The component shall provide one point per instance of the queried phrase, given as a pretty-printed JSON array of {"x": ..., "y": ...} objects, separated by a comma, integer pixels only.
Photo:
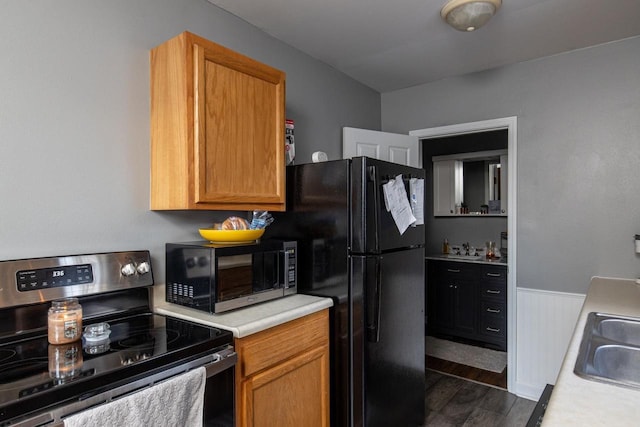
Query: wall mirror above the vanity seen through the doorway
[{"x": 470, "y": 183}]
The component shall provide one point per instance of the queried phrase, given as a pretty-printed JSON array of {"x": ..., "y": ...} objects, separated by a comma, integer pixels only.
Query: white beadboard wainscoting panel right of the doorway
[{"x": 545, "y": 324}]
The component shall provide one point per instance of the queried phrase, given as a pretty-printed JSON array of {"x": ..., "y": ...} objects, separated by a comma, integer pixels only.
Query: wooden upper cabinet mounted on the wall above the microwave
[{"x": 217, "y": 128}]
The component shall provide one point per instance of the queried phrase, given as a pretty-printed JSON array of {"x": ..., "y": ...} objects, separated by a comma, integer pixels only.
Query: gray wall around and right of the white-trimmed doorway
[{"x": 578, "y": 155}]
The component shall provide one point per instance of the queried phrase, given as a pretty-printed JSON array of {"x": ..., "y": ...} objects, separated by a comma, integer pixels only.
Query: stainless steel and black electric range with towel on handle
[{"x": 41, "y": 383}]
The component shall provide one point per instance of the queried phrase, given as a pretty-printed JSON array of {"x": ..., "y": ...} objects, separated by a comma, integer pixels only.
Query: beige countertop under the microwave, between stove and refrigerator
[{"x": 245, "y": 321}]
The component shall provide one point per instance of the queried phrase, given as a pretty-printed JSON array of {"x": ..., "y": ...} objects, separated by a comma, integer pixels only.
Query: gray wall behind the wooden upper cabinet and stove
[{"x": 74, "y": 119}]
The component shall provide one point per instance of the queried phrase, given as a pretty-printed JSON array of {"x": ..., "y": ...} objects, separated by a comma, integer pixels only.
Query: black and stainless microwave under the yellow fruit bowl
[{"x": 217, "y": 278}]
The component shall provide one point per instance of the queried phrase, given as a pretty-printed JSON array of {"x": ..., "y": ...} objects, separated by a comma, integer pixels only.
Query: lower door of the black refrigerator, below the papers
[{"x": 394, "y": 357}]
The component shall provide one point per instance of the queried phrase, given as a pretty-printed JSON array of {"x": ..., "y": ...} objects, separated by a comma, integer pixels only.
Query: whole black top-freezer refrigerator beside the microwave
[{"x": 350, "y": 249}]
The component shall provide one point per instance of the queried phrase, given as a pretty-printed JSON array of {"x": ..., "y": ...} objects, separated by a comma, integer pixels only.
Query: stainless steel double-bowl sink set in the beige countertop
[{"x": 610, "y": 350}]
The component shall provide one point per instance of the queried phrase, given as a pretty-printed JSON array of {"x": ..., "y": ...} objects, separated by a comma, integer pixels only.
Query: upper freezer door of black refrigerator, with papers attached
[{"x": 373, "y": 227}]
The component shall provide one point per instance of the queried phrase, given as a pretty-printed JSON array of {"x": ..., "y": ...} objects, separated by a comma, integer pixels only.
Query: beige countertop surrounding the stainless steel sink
[{"x": 576, "y": 401}]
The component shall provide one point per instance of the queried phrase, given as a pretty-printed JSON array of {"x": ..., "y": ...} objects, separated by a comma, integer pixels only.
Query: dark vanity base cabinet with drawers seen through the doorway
[{"x": 468, "y": 300}]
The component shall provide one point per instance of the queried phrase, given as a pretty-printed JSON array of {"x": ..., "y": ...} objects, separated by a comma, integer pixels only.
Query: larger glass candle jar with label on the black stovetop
[{"x": 65, "y": 321}]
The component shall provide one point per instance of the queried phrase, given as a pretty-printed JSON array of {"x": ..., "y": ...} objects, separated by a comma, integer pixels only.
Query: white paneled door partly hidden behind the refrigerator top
[{"x": 392, "y": 147}]
